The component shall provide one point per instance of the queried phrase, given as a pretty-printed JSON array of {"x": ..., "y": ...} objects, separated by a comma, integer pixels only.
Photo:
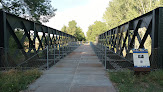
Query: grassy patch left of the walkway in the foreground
[{"x": 16, "y": 80}]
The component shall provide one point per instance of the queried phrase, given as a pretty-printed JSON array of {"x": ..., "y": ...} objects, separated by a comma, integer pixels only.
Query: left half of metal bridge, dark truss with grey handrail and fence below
[{"x": 27, "y": 44}]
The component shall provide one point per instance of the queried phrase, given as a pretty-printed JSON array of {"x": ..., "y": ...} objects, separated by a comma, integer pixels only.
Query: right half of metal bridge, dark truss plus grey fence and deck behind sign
[{"x": 114, "y": 47}]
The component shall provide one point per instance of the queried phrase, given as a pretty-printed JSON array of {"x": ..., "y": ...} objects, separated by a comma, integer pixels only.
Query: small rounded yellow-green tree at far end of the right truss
[{"x": 94, "y": 30}]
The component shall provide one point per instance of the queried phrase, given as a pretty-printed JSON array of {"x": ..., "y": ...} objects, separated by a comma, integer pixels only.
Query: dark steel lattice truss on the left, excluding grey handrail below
[{"x": 21, "y": 38}]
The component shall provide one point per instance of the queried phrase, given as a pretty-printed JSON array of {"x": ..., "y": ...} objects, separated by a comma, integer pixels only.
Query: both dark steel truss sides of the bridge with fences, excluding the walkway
[{"x": 24, "y": 43}]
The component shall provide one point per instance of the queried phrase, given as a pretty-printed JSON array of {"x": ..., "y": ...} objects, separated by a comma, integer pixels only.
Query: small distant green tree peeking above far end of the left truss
[{"x": 72, "y": 29}]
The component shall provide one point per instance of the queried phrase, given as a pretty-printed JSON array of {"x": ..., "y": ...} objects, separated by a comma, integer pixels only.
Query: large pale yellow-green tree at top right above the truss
[{"x": 121, "y": 11}]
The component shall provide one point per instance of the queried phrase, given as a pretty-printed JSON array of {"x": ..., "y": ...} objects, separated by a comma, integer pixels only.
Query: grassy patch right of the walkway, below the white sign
[{"x": 128, "y": 82}]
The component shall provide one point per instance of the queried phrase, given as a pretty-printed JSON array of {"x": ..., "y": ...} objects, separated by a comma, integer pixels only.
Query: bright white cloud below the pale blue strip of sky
[{"x": 83, "y": 15}]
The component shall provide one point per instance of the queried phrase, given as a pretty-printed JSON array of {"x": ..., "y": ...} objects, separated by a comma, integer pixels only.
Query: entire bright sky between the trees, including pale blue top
[{"x": 84, "y": 12}]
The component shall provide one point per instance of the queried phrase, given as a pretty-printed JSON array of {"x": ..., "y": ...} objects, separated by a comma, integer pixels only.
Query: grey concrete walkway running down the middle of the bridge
[{"x": 80, "y": 71}]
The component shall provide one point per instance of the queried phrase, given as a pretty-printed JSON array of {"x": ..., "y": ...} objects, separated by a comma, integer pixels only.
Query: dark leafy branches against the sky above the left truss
[{"x": 35, "y": 10}]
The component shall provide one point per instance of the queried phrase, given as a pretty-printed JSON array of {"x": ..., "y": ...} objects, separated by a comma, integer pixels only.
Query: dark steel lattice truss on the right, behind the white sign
[{"x": 145, "y": 31}]
